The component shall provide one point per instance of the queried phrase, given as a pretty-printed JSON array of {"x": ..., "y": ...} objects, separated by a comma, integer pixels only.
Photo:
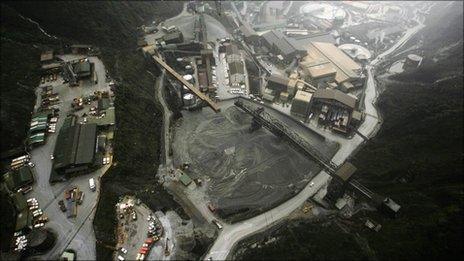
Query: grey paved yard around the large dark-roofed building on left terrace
[{"x": 76, "y": 233}]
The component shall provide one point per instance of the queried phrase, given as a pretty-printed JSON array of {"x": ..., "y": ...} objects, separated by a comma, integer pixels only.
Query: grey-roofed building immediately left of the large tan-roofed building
[{"x": 279, "y": 44}]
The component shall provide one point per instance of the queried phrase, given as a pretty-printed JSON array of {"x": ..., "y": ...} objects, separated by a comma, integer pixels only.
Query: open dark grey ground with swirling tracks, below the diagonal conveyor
[{"x": 247, "y": 171}]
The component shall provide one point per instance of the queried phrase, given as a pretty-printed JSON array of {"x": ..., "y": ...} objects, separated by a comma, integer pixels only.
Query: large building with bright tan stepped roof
[{"x": 326, "y": 63}]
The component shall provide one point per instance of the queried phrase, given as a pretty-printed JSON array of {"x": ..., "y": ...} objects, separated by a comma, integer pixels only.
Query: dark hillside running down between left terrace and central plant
[{"x": 111, "y": 26}]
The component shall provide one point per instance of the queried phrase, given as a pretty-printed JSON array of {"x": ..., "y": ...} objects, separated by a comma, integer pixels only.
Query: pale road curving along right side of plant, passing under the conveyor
[{"x": 232, "y": 234}]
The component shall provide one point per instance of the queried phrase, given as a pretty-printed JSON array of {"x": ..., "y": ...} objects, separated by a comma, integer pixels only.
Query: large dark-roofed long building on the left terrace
[{"x": 75, "y": 147}]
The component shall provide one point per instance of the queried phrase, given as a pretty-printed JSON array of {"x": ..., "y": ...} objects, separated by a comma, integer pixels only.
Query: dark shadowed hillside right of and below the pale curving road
[{"x": 416, "y": 159}]
